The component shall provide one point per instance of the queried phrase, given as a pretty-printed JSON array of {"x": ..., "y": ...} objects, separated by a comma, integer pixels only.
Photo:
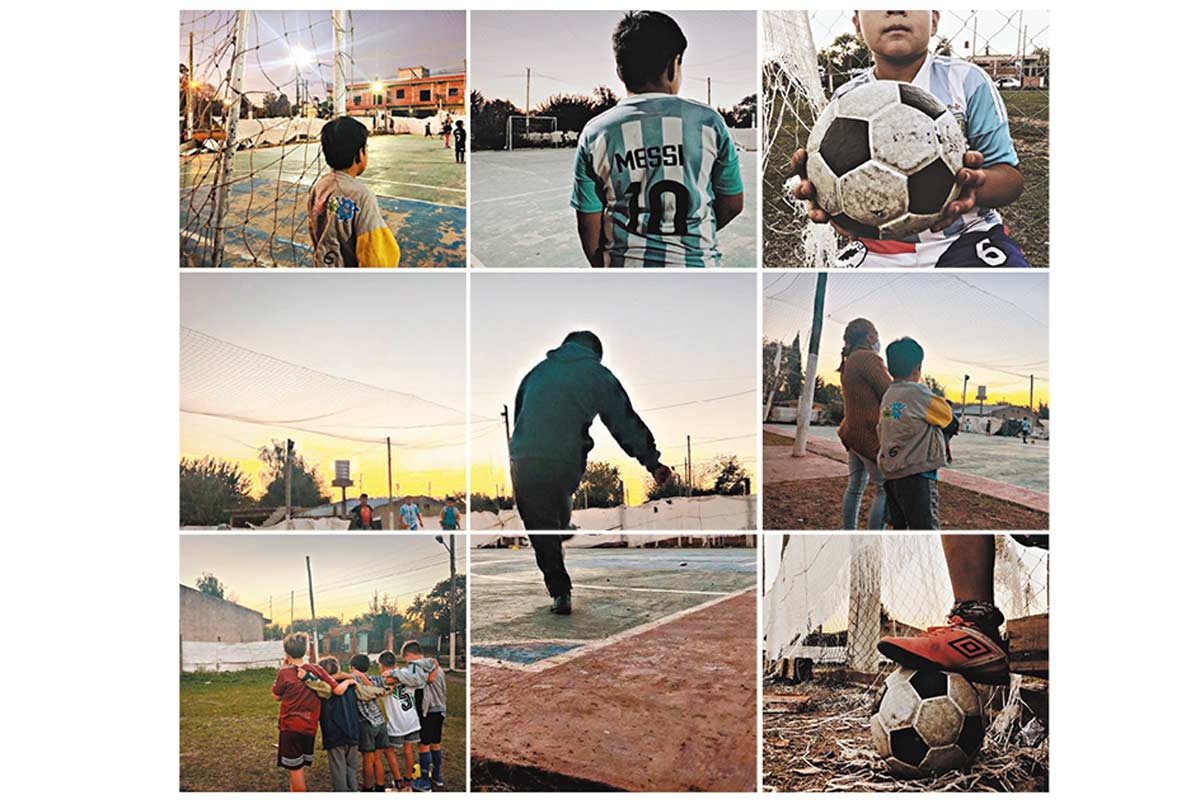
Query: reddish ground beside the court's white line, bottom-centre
[{"x": 667, "y": 711}]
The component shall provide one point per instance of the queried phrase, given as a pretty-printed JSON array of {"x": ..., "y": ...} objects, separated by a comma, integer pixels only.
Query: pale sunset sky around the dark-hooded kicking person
[{"x": 673, "y": 340}]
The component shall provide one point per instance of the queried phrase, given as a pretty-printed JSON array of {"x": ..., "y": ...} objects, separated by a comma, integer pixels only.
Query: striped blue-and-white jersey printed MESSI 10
[{"x": 655, "y": 165}]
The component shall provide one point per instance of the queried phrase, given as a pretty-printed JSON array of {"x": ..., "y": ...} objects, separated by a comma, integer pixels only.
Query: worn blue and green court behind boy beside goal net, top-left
[{"x": 421, "y": 189}]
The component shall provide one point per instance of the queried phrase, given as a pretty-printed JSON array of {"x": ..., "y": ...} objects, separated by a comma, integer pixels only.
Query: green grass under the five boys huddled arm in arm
[{"x": 229, "y": 729}]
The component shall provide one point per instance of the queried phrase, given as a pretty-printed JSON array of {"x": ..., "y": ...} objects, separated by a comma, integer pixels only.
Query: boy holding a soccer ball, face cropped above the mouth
[{"x": 971, "y": 233}]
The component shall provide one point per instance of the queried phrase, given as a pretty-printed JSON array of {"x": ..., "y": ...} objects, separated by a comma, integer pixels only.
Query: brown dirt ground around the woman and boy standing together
[{"x": 817, "y": 506}]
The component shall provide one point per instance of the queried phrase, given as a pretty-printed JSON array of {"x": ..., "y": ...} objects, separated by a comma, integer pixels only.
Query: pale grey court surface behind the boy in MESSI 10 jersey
[{"x": 521, "y": 216}]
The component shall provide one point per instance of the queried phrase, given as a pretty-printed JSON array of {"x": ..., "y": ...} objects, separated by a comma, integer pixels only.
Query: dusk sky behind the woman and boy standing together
[{"x": 991, "y": 327}]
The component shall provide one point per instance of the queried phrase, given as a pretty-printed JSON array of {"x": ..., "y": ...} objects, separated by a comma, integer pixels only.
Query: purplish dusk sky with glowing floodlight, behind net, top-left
[{"x": 380, "y": 43}]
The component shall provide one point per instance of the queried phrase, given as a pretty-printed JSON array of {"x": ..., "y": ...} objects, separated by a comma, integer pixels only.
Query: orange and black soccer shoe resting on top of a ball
[{"x": 969, "y": 647}]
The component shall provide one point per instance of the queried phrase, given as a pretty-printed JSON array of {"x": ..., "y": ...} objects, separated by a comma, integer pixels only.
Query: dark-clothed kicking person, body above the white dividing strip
[{"x": 555, "y": 407}]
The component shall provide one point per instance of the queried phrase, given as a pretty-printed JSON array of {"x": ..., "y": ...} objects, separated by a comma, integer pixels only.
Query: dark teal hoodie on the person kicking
[{"x": 561, "y": 398}]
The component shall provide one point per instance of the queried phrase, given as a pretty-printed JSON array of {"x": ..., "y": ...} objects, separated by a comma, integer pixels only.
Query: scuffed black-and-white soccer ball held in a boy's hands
[{"x": 883, "y": 160}]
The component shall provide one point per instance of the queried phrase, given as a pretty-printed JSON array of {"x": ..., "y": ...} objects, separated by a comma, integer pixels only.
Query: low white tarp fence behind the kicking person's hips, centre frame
[{"x": 713, "y": 513}]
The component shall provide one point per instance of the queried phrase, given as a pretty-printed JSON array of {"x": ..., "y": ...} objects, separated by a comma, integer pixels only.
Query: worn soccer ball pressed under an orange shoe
[{"x": 928, "y": 723}]
